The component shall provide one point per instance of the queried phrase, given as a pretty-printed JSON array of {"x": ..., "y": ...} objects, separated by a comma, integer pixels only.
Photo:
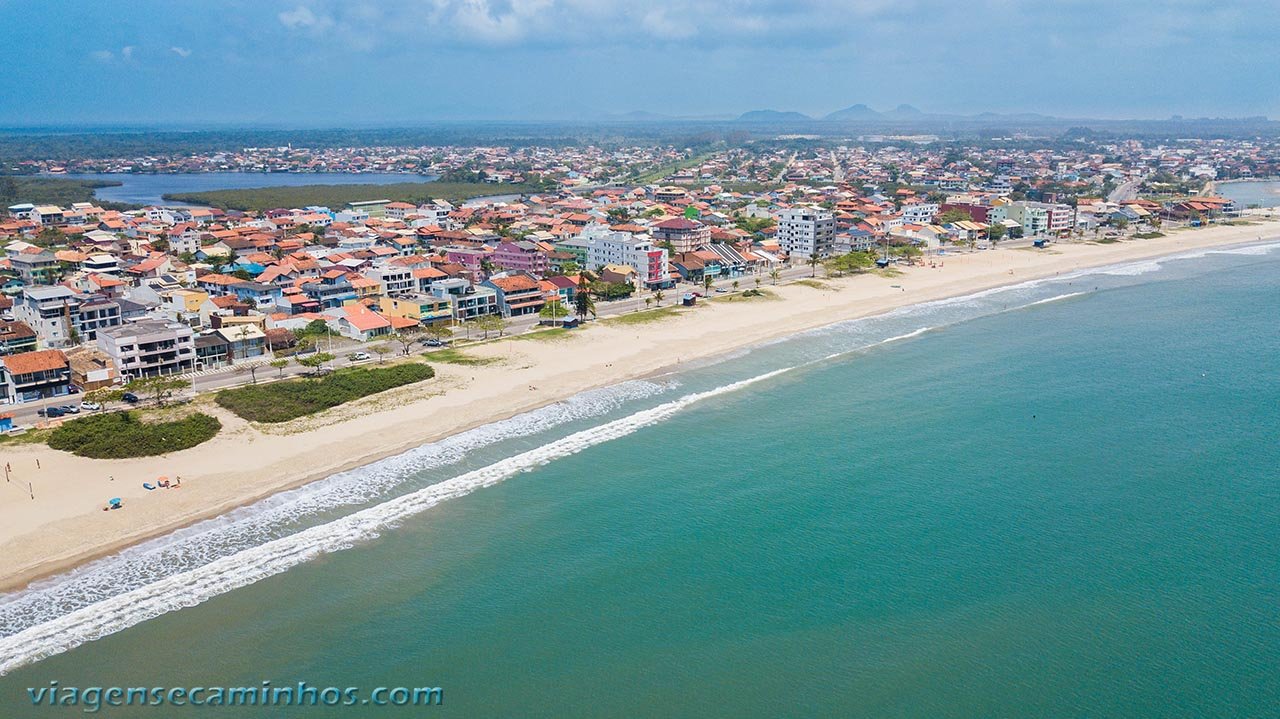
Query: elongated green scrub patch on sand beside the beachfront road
[{"x": 290, "y": 400}]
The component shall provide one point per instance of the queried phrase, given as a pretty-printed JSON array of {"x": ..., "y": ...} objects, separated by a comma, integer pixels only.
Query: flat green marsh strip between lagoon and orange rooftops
[{"x": 337, "y": 196}]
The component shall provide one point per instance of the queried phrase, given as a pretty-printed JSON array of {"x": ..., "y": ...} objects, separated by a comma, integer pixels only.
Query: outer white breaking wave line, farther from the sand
[{"x": 194, "y": 587}]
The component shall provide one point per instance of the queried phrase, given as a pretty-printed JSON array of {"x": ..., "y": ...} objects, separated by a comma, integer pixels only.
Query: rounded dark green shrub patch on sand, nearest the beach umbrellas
[{"x": 117, "y": 436}]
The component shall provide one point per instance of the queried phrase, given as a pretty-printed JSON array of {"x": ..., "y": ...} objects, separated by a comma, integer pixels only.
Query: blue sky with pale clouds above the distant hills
[{"x": 330, "y": 62}]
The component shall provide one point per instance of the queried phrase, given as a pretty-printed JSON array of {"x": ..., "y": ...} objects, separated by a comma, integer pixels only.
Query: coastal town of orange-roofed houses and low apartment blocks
[{"x": 104, "y": 299}]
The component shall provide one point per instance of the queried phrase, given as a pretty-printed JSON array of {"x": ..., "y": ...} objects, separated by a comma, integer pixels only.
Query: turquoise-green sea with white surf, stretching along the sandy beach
[{"x": 1060, "y": 500}]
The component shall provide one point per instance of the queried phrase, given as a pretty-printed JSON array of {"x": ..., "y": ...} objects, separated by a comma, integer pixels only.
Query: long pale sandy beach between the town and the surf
[{"x": 65, "y": 525}]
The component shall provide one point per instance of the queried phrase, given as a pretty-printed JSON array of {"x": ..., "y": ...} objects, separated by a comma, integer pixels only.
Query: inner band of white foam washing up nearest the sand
[{"x": 284, "y": 514}]
